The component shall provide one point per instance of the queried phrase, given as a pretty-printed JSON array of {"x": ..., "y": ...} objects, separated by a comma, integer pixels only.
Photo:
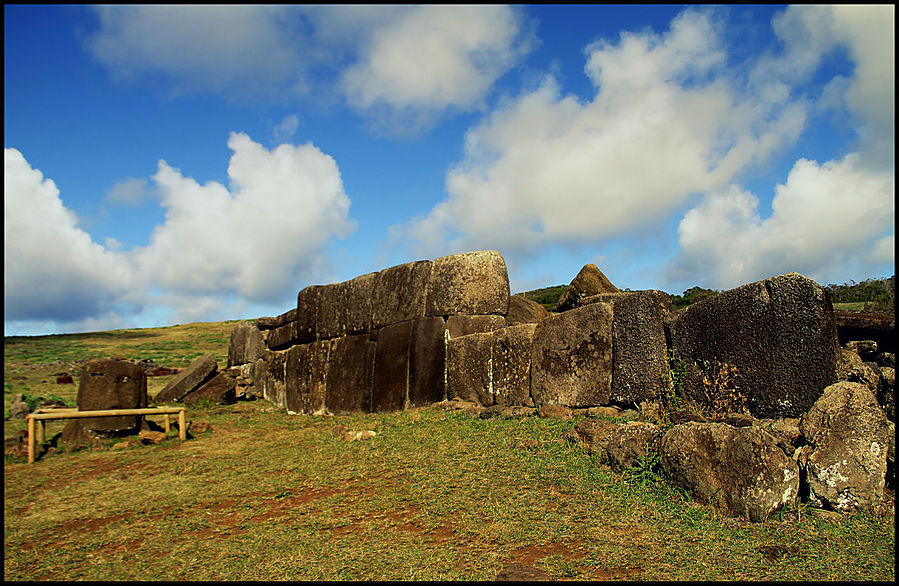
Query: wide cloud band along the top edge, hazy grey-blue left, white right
[{"x": 404, "y": 66}]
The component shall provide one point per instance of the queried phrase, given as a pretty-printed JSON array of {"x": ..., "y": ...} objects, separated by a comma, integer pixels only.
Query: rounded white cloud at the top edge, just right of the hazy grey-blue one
[{"x": 435, "y": 58}]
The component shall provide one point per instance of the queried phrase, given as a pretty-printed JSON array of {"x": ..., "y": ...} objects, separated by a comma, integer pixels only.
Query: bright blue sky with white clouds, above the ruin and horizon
[{"x": 173, "y": 164}]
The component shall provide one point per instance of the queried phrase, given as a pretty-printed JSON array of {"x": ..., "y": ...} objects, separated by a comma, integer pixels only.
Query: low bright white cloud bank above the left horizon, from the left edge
[{"x": 250, "y": 241}]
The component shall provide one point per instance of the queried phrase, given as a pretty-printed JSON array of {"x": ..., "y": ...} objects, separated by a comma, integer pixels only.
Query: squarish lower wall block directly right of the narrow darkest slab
[{"x": 469, "y": 367}]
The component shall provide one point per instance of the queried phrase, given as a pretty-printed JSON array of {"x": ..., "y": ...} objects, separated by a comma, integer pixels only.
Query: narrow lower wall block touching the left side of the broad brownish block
[{"x": 511, "y": 356}]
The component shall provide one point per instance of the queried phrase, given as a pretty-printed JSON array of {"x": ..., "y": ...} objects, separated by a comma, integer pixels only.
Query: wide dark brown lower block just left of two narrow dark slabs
[{"x": 348, "y": 387}]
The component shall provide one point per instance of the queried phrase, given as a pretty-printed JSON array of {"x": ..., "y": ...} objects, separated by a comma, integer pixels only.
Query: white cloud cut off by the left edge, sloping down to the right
[{"x": 52, "y": 268}]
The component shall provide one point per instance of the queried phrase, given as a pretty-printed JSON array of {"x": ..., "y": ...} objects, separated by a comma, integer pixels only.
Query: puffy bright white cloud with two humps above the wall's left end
[{"x": 256, "y": 238}]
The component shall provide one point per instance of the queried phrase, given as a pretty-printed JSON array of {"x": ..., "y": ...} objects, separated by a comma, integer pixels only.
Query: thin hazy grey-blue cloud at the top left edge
[{"x": 237, "y": 50}]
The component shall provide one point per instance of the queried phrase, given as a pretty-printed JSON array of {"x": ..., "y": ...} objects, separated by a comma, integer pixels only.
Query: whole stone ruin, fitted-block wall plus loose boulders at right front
[{"x": 447, "y": 331}]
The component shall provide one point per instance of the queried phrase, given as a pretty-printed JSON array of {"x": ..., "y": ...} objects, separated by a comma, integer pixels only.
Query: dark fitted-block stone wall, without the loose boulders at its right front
[{"x": 422, "y": 332}]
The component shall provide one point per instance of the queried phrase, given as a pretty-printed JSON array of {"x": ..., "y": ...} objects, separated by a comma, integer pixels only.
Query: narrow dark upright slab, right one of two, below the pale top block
[{"x": 427, "y": 362}]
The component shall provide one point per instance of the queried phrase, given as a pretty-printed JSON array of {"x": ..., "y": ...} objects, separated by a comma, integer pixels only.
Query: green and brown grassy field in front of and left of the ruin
[{"x": 263, "y": 495}]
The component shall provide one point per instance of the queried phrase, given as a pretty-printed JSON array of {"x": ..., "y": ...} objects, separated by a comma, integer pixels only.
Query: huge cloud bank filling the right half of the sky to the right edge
[{"x": 670, "y": 121}]
